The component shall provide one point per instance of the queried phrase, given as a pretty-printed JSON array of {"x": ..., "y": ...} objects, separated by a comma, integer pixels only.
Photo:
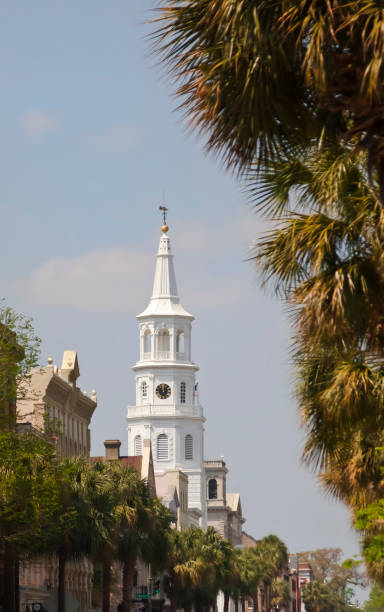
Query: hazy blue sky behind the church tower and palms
[{"x": 91, "y": 143}]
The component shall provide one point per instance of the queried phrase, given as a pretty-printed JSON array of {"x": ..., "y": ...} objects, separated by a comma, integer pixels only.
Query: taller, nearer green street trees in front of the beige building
[{"x": 71, "y": 509}]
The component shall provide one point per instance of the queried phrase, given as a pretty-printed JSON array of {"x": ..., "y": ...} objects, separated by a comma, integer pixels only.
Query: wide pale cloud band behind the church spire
[{"x": 209, "y": 271}]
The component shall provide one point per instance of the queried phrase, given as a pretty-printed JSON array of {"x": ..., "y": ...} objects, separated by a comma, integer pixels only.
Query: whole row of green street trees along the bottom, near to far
[{"x": 105, "y": 511}]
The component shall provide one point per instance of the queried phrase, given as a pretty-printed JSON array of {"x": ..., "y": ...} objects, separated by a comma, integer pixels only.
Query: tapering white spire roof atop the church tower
[{"x": 164, "y": 300}]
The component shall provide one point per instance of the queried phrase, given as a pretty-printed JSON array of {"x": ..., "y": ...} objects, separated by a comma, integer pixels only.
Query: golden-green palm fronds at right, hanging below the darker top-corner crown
[{"x": 325, "y": 258}]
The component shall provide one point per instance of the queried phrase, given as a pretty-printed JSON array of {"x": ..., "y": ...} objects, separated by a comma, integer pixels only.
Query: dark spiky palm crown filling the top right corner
[{"x": 265, "y": 77}]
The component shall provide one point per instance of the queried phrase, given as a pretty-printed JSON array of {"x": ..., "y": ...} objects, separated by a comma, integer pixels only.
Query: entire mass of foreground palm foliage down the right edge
[{"x": 291, "y": 94}]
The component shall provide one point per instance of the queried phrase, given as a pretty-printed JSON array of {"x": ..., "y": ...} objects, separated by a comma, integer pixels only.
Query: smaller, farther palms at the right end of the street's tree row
[{"x": 201, "y": 564}]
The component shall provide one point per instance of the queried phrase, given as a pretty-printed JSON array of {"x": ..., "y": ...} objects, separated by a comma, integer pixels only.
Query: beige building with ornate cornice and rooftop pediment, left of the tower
[{"x": 53, "y": 404}]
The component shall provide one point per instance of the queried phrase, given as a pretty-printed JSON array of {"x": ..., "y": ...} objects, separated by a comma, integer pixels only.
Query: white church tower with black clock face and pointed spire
[{"x": 167, "y": 409}]
